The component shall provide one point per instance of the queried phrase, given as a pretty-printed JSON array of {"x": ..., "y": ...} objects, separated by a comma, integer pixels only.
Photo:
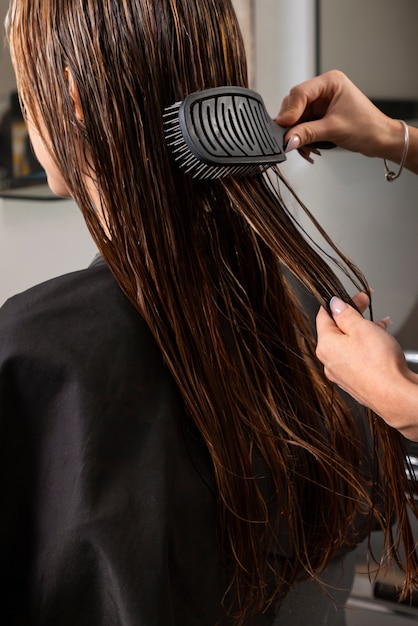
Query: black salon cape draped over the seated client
[{"x": 108, "y": 517}]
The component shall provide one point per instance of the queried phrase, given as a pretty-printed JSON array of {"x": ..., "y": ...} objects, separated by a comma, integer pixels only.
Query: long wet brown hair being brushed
[{"x": 207, "y": 264}]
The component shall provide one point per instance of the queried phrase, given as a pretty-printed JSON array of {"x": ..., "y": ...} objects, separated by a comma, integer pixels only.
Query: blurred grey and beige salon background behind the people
[{"x": 376, "y": 223}]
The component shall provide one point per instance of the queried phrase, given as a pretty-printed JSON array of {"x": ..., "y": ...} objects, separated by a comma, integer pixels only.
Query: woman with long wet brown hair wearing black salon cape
[{"x": 176, "y": 456}]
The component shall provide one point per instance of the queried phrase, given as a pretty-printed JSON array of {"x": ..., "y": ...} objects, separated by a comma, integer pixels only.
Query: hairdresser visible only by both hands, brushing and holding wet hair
[{"x": 357, "y": 354}]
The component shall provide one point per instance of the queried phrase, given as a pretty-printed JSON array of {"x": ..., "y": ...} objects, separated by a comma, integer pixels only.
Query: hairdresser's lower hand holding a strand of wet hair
[{"x": 368, "y": 363}]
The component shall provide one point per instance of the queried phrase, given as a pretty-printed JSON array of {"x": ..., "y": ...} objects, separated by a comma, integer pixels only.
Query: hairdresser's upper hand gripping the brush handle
[{"x": 331, "y": 108}]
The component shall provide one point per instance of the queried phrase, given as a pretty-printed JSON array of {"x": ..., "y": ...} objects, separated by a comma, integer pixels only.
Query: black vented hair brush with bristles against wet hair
[{"x": 222, "y": 132}]
